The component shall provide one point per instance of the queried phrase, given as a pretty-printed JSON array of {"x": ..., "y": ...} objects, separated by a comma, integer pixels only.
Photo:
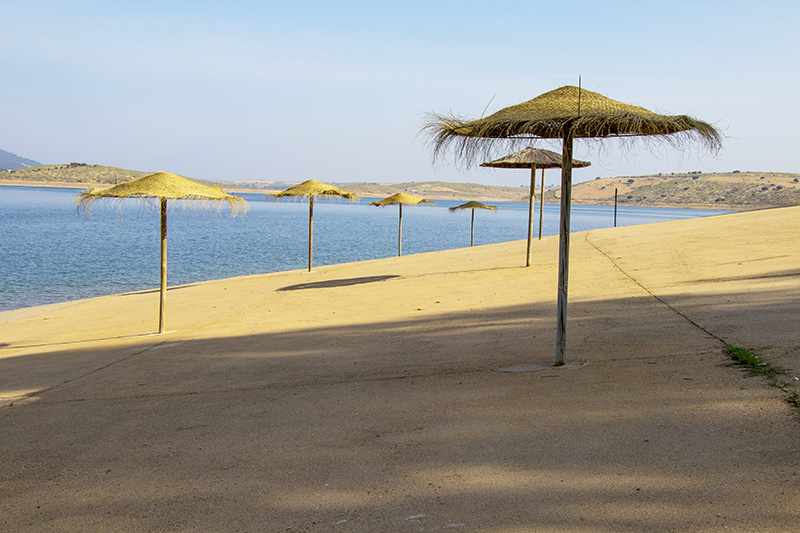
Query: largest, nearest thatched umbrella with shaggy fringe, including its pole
[{"x": 565, "y": 113}]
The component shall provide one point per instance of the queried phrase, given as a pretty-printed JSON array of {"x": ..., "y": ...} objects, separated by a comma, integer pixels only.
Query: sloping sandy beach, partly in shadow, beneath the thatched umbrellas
[{"x": 367, "y": 396}]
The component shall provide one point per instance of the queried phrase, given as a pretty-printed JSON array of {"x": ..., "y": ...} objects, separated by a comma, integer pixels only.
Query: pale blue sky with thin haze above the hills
[{"x": 338, "y": 91}]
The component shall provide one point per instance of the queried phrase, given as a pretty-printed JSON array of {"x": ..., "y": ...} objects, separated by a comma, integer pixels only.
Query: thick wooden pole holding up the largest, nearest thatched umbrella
[{"x": 563, "y": 250}]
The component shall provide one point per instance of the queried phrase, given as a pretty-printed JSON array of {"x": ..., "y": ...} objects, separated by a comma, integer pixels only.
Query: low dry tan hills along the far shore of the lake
[{"x": 728, "y": 190}]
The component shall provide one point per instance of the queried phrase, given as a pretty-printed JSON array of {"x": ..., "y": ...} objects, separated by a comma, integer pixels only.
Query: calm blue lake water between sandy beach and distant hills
[{"x": 49, "y": 253}]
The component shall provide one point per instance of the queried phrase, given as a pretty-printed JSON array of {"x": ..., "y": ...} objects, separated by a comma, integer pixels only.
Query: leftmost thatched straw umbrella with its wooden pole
[{"x": 163, "y": 186}]
